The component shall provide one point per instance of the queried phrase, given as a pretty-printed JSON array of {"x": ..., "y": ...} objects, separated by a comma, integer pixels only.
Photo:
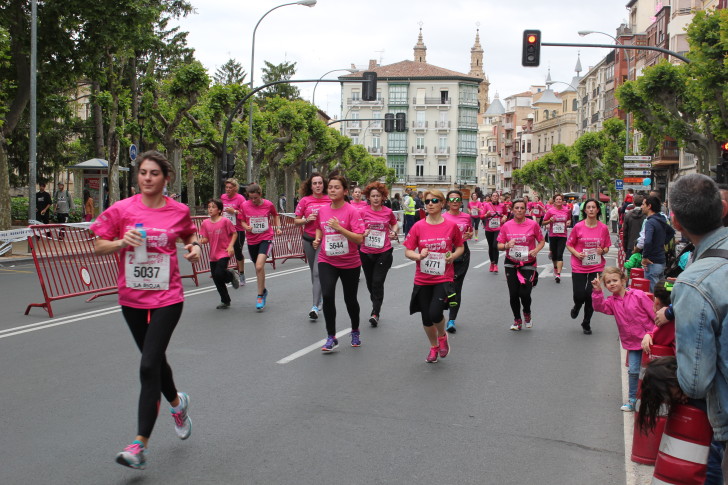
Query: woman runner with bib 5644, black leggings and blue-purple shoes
[{"x": 339, "y": 231}]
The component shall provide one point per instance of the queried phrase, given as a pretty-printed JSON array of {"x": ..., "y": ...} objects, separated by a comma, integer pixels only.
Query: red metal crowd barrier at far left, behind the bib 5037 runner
[{"x": 68, "y": 266}]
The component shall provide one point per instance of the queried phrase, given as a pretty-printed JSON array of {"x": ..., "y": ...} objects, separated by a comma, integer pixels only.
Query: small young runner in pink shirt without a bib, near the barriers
[{"x": 221, "y": 234}]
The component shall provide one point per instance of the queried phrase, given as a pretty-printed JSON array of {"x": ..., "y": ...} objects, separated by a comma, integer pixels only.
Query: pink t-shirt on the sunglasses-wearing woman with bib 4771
[{"x": 439, "y": 239}]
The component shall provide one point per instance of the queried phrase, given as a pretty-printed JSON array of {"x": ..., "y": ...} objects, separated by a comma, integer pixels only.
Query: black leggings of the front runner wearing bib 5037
[{"x": 152, "y": 330}]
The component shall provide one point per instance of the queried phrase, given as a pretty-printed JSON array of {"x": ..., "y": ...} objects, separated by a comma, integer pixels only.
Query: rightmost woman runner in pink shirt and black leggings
[{"x": 588, "y": 242}]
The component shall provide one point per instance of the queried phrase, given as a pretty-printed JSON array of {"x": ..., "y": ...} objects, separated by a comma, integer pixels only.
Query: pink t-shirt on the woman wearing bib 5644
[{"x": 336, "y": 250}]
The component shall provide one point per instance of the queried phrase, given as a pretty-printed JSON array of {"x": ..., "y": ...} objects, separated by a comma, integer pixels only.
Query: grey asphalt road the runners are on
[{"x": 540, "y": 406}]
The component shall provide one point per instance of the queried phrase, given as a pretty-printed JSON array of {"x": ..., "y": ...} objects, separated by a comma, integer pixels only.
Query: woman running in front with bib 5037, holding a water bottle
[{"x": 150, "y": 293}]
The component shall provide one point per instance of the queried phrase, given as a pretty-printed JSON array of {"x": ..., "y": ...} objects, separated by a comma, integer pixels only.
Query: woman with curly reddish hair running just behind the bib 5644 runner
[{"x": 376, "y": 251}]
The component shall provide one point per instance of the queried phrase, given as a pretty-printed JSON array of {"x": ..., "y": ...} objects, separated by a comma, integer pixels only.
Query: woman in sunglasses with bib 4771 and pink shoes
[{"x": 434, "y": 243}]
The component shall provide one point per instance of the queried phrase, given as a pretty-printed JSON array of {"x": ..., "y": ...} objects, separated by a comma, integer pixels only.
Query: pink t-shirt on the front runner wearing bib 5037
[{"x": 163, "y": 226}]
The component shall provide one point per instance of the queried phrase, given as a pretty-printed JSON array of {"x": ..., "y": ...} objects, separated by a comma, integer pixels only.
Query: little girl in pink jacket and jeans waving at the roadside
[{"x": 633, "y": 311}]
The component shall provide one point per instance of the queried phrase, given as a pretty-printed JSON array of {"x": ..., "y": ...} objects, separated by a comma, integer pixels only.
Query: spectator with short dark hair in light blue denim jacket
[{"x": 700, "y": 302}]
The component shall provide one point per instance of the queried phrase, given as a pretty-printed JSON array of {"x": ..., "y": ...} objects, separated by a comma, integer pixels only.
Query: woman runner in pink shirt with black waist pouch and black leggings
[{"x": 522, "y": 239}]
